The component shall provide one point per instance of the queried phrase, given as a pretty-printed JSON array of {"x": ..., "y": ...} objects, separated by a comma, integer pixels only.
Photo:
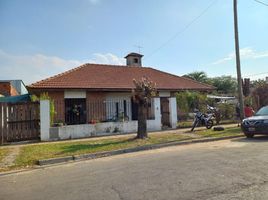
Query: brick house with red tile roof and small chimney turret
[{"x": 97, "y": 92}]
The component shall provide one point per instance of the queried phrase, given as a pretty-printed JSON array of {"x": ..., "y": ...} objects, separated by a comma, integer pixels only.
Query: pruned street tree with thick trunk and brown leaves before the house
[{"x": 142, "y": 94}]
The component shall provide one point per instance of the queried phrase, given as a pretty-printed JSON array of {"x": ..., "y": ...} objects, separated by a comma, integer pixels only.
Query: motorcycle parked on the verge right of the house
[{"x": 204, "y": 119}]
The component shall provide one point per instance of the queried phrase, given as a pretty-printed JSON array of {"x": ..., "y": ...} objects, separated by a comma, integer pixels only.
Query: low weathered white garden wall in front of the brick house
[{"x": 99, "y": 129}]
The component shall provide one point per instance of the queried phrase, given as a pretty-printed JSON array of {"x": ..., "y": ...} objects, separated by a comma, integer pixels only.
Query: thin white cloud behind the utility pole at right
[{"x": 245, "y": 53}]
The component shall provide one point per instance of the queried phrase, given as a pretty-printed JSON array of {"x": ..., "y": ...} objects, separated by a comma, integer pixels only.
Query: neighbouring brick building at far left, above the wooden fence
[{"x": 12, "y": 88}]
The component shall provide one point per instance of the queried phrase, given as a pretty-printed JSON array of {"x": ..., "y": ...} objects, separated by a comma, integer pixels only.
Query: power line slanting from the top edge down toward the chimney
[{"x": 183, "y": 30}]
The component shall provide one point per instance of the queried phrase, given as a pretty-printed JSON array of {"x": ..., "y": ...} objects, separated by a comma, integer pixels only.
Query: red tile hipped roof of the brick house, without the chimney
[{"x": 112, "y": 77}]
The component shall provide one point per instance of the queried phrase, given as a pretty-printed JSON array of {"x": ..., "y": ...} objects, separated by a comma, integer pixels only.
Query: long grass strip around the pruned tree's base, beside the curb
[{"x": 31, "y": 153}]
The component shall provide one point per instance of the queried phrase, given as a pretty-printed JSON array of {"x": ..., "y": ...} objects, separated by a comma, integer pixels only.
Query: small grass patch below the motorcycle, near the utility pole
[{"x": 232, "y": 131}]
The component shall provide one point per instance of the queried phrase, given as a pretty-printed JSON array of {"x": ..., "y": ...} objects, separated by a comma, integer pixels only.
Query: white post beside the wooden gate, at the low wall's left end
[{"x": 44, "y": 120}]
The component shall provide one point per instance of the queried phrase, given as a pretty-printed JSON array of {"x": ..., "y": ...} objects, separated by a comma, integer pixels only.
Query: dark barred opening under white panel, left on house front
[{"x": 75, "y": 111}]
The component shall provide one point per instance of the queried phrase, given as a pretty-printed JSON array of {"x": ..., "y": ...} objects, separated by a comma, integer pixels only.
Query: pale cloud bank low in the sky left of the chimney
[{"x": 32, "y": 68}]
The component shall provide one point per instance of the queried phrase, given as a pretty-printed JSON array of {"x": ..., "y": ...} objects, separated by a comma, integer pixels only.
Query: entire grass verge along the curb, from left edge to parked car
[{"x": 30, "y": 154}]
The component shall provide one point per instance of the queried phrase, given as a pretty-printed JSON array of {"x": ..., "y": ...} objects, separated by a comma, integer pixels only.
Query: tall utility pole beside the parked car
[{"x": 238, "y": 69}]
